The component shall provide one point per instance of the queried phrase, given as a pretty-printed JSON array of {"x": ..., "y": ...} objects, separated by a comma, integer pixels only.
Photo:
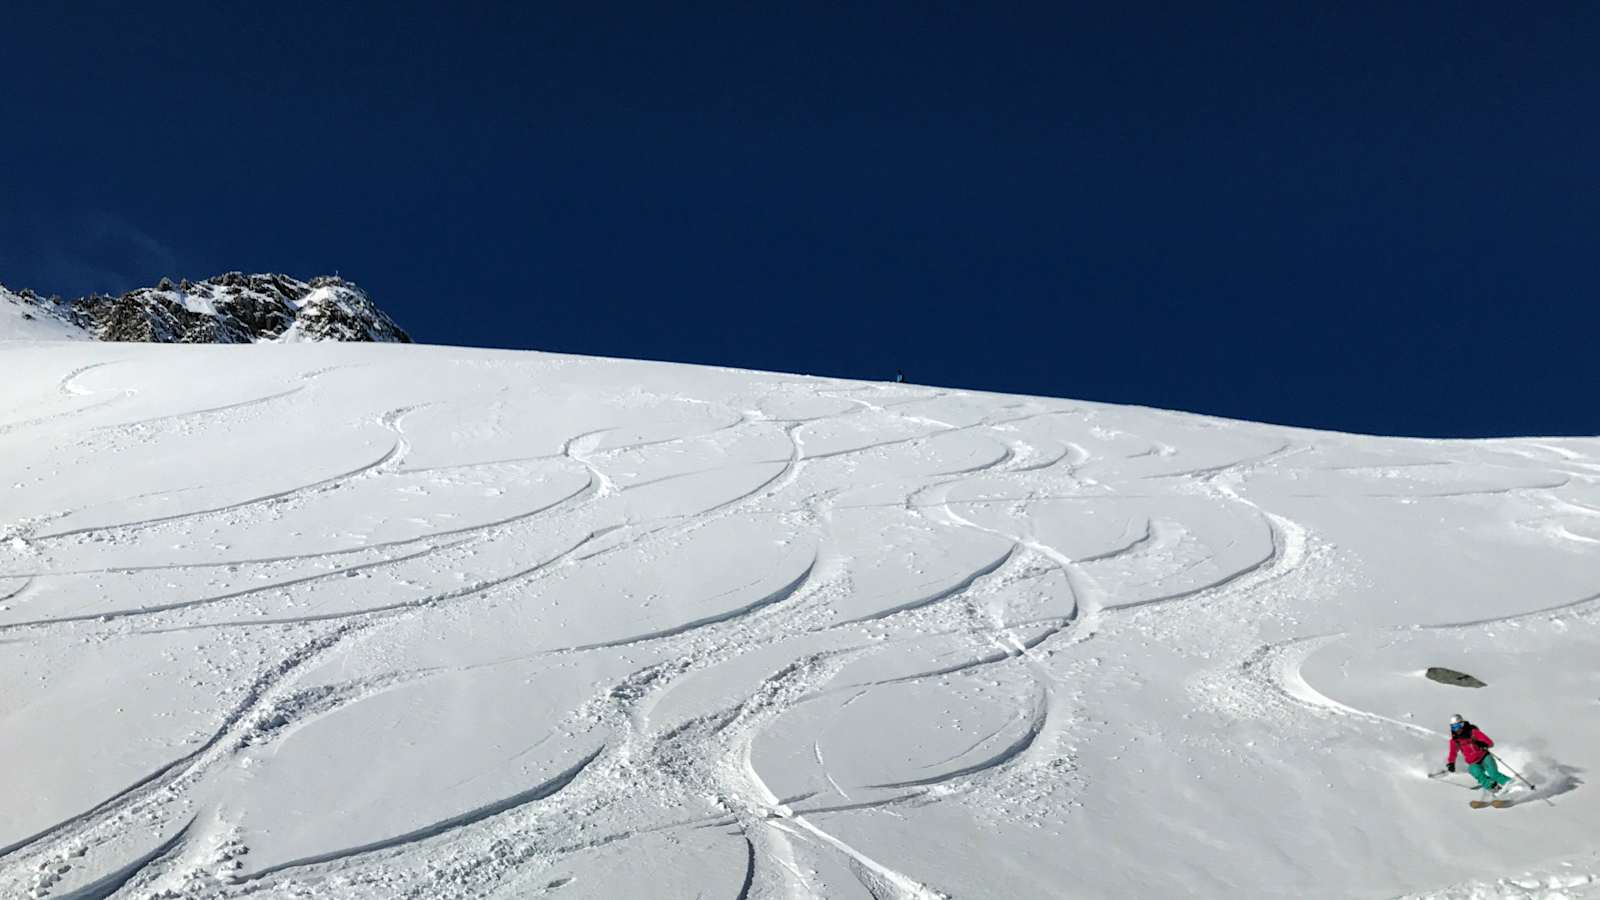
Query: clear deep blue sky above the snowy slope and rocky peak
[{"x": 1366, "y": 217}]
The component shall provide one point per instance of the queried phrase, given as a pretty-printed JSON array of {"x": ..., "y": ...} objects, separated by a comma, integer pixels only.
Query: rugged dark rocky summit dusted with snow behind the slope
[{"x": 223, "y": 310}]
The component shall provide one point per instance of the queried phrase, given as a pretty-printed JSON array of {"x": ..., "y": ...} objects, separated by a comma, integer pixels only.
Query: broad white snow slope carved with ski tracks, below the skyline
[{"x": 353, "y": 621}]
